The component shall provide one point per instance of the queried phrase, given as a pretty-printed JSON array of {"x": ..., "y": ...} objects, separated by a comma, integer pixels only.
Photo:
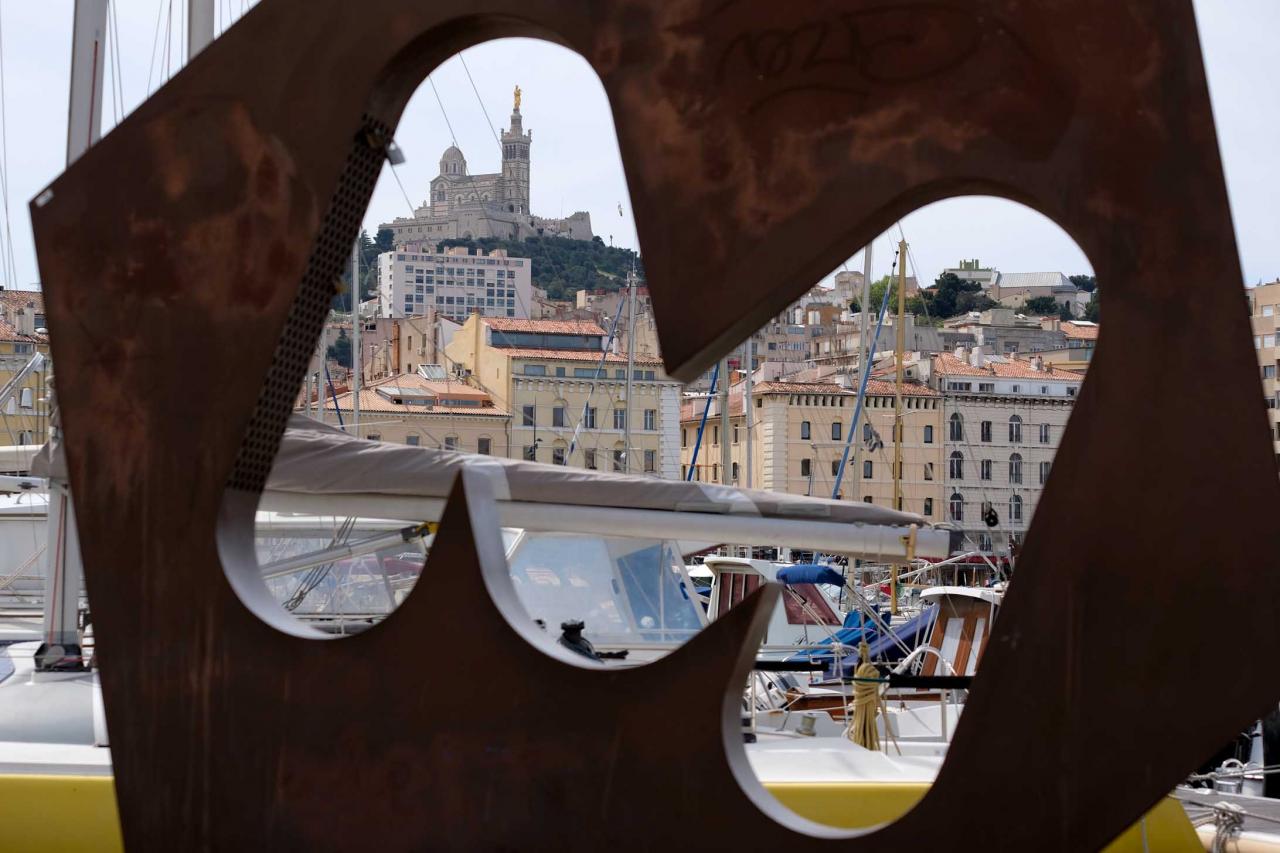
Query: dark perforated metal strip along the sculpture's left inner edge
[{"x": 307, "y": 318}]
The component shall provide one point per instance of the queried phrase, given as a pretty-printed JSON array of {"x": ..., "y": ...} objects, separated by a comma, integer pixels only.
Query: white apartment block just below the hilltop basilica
[{"x": 415, "y": 279}]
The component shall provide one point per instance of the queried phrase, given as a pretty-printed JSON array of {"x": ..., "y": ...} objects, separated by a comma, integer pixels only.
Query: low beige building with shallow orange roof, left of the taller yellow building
[{"x": 422, "y": 413}]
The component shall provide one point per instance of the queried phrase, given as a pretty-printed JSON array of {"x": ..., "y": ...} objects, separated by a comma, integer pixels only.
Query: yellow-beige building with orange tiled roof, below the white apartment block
[{"x": 568, "y": 396}]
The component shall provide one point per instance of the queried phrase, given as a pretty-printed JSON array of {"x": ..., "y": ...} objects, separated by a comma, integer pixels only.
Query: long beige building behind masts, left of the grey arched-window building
[{"x": 799, "y": 432}]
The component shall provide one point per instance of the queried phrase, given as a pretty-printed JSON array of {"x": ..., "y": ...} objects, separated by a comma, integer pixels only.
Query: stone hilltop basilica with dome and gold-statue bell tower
[{"x": 470, "y": 207}]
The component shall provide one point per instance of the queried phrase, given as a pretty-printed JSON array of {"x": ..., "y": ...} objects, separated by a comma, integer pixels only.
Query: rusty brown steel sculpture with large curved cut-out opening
[{"x": 188, "y": 262}]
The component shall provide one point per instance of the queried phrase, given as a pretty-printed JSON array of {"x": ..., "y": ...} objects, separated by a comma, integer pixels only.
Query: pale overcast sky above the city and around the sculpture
[{"x": 575, "y": 156}]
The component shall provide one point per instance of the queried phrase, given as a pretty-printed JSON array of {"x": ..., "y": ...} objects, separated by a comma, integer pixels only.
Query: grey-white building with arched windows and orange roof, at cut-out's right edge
[{"x": 1004, "y": 421}]
